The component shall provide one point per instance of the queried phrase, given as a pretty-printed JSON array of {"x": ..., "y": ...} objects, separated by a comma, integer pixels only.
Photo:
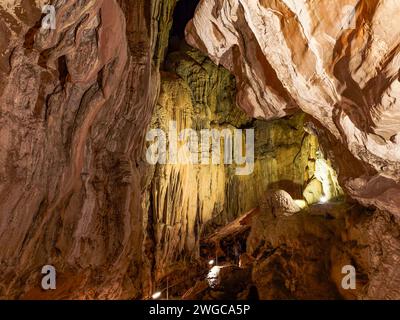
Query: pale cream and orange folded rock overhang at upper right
[{"x": 338, "y": 61}]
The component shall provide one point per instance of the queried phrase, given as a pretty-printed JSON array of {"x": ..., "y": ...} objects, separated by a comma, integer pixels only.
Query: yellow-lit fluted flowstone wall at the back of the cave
[{"x": 186, "y": 201}]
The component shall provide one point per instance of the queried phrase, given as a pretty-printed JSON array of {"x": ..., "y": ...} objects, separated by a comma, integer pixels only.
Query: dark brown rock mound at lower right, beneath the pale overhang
[{"x": 301, "y": 256}]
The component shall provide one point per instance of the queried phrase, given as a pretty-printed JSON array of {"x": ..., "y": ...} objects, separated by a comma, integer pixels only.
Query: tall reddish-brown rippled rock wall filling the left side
[{"x": 75, "y": 103}]
